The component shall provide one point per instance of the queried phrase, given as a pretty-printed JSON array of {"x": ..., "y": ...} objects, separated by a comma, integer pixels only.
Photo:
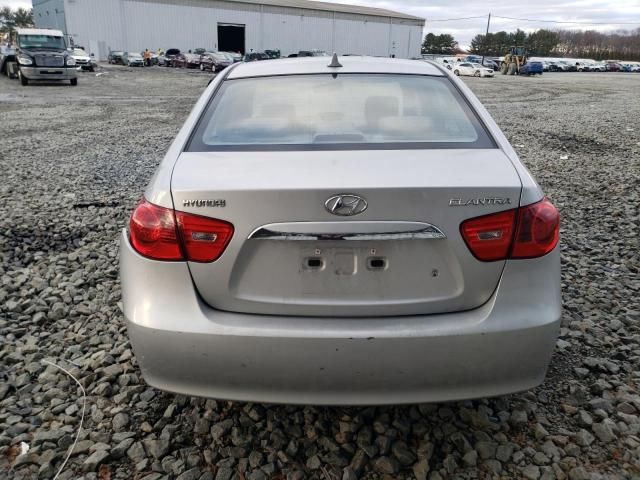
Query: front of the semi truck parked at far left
[{"x": 42, "y": 55}]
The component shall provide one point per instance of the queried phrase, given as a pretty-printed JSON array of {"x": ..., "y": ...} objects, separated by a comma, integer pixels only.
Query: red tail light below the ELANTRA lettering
[{"x": 527, "y": 232}]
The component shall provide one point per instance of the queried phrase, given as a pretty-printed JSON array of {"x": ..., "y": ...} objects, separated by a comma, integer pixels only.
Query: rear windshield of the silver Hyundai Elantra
[{"x": 324, "y": 111}]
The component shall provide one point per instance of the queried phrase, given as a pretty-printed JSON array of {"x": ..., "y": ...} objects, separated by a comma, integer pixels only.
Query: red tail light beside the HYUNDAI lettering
[{"x": 161, "y": 234}]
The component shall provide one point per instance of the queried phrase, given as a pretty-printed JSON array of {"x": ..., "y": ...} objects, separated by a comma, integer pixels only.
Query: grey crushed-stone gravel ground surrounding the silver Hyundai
[{"x": 74, "y": 162}]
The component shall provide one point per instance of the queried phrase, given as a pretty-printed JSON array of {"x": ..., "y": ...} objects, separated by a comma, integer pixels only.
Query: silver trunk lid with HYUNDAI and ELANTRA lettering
[{"x": 402, "y": 255}]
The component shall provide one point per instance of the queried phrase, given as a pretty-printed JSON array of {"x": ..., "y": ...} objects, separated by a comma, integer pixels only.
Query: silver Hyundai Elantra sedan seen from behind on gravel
[{"x": 394, "y": 256}]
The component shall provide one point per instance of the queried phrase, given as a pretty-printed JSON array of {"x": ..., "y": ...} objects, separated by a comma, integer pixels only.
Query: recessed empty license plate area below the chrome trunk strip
[{"x": 331, "y": 273}]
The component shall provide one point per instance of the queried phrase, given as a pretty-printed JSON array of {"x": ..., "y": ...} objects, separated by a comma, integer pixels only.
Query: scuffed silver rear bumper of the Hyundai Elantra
[{"x": 185, "y": 346}]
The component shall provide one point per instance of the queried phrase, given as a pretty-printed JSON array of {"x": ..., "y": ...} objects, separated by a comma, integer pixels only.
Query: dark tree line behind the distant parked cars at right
[{"x": 621, "y": 45}]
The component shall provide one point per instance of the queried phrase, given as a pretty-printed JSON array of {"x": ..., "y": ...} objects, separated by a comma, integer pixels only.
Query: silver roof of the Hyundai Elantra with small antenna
[{"x": 350, "y": 64}]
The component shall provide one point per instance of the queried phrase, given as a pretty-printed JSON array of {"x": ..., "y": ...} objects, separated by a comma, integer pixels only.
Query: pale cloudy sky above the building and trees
[{"x": 612, "y": 14}]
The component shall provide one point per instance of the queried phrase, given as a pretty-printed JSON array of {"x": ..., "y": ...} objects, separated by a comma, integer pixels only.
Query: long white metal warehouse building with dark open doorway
[{"x": 231, "y": 25}]
